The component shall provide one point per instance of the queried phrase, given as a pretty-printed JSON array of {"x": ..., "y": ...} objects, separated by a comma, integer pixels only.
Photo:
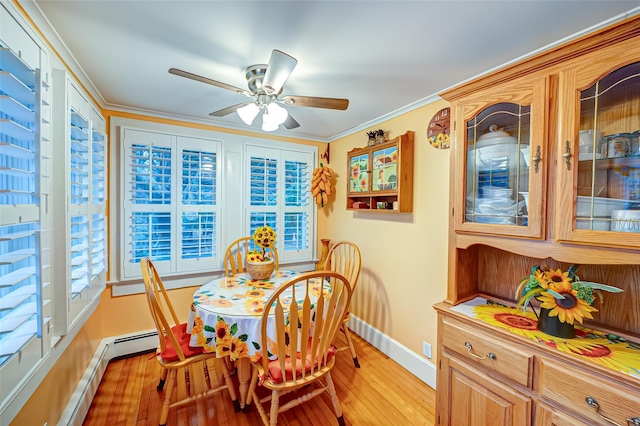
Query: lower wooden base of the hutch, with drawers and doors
[{"x": 489, "y": 376}]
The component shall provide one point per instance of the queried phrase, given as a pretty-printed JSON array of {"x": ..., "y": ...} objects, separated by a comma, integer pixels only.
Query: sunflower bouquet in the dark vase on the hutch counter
[{"x": 562, "y": 292}]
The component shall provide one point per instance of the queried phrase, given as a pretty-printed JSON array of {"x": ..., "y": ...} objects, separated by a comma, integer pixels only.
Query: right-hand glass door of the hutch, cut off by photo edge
[{"x": 606, "y": 150}]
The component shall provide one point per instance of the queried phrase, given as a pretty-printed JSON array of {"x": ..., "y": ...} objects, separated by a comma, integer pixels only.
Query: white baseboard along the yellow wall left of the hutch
[{"x": 412, "y": 362}]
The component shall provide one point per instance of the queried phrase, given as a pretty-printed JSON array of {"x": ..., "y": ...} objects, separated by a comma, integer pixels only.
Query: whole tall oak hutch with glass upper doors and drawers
[{"x": 545, "y": 171}]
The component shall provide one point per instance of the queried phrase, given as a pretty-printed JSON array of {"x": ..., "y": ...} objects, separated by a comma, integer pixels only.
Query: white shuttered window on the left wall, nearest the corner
[{"x": 79, "y": 206}]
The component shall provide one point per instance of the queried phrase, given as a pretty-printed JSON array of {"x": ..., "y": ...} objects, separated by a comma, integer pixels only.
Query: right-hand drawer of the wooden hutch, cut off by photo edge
[{"x": 570, "y": 387}]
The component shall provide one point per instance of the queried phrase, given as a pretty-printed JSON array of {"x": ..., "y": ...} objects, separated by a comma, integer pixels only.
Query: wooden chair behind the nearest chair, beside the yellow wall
[{"x": 344, "y": 258}]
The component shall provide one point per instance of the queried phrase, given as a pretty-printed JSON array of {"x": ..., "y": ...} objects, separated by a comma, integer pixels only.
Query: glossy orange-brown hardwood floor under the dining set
[{"x": 379, "y": 393}]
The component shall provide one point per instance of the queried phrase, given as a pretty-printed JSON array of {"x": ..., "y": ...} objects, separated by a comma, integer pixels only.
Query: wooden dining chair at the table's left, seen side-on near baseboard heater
[{"x": 174, "y": 354}]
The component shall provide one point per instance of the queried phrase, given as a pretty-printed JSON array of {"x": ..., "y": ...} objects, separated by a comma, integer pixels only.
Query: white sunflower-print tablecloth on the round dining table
[{"x": 226, "y": 314}]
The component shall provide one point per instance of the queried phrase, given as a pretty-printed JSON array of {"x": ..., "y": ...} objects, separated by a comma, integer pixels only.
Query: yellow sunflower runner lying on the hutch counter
[{"x": 594, "y": 346}]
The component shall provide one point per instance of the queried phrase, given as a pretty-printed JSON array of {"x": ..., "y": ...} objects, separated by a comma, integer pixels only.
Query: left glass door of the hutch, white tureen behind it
[{"x": 502, "y": 167}]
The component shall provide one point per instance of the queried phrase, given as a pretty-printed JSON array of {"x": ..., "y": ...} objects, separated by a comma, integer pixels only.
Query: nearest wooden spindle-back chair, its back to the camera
[{"x": 298, "y": 326}]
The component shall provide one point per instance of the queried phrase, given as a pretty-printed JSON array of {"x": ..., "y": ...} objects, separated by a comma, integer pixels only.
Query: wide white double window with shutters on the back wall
[{"x": 187, "y": 193}]
